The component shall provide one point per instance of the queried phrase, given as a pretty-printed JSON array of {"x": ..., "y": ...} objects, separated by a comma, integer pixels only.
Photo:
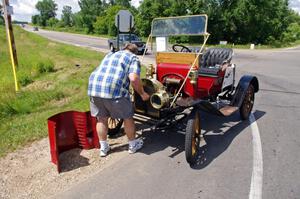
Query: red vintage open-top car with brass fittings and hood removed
[{"x": 193, "y": 79}]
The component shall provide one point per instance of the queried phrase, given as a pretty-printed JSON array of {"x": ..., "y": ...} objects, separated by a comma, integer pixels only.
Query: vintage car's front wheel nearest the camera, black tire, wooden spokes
[{"x": 190, "y": 135}]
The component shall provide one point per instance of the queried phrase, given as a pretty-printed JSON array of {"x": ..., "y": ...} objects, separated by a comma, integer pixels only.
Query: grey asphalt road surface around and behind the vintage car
[{"x": 225, "y": 169}]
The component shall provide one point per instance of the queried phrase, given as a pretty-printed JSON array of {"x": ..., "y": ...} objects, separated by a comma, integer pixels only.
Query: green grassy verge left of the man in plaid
[{"x": 51, "y": 83}]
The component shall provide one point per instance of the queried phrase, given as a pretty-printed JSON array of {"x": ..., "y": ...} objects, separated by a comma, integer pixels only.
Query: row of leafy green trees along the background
[{"x": 236, "y": 21}]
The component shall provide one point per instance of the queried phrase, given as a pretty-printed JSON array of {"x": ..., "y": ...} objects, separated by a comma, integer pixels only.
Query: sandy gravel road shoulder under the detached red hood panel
[{"x": 28, "y": 173}]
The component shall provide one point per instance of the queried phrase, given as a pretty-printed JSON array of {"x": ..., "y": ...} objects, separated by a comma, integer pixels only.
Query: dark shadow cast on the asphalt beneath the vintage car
[{"x": 219, "y": 132}]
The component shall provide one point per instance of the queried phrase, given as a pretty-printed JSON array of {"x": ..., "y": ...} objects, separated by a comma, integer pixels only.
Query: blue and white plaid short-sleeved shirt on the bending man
[{"x": 110, "y": 79}]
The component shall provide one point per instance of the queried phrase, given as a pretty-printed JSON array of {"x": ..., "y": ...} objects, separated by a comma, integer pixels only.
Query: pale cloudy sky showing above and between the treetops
[{"x": 24, "y": 9}]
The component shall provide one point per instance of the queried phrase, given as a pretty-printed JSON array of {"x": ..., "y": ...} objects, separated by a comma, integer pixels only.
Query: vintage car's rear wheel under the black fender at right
[{"x": 244, "y": 109}]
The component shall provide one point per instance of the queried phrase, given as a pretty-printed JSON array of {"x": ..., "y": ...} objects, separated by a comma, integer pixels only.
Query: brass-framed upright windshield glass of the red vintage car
[{"x": 187, "y": 25}]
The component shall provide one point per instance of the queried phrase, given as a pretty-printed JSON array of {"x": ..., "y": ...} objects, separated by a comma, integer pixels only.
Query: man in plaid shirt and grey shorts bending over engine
[{"x": 108, "y": 90}]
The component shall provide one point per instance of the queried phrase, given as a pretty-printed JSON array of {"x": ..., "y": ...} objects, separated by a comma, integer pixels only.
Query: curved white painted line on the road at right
[{"x": 257, "y": 172}]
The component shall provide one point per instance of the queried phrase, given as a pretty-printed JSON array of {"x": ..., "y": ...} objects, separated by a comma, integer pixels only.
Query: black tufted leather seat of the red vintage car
[{"x": 215, "y": 56}]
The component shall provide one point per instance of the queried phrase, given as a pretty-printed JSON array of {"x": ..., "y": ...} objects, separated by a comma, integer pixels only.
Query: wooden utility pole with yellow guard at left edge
[{"x": 10, "y": 38}]
